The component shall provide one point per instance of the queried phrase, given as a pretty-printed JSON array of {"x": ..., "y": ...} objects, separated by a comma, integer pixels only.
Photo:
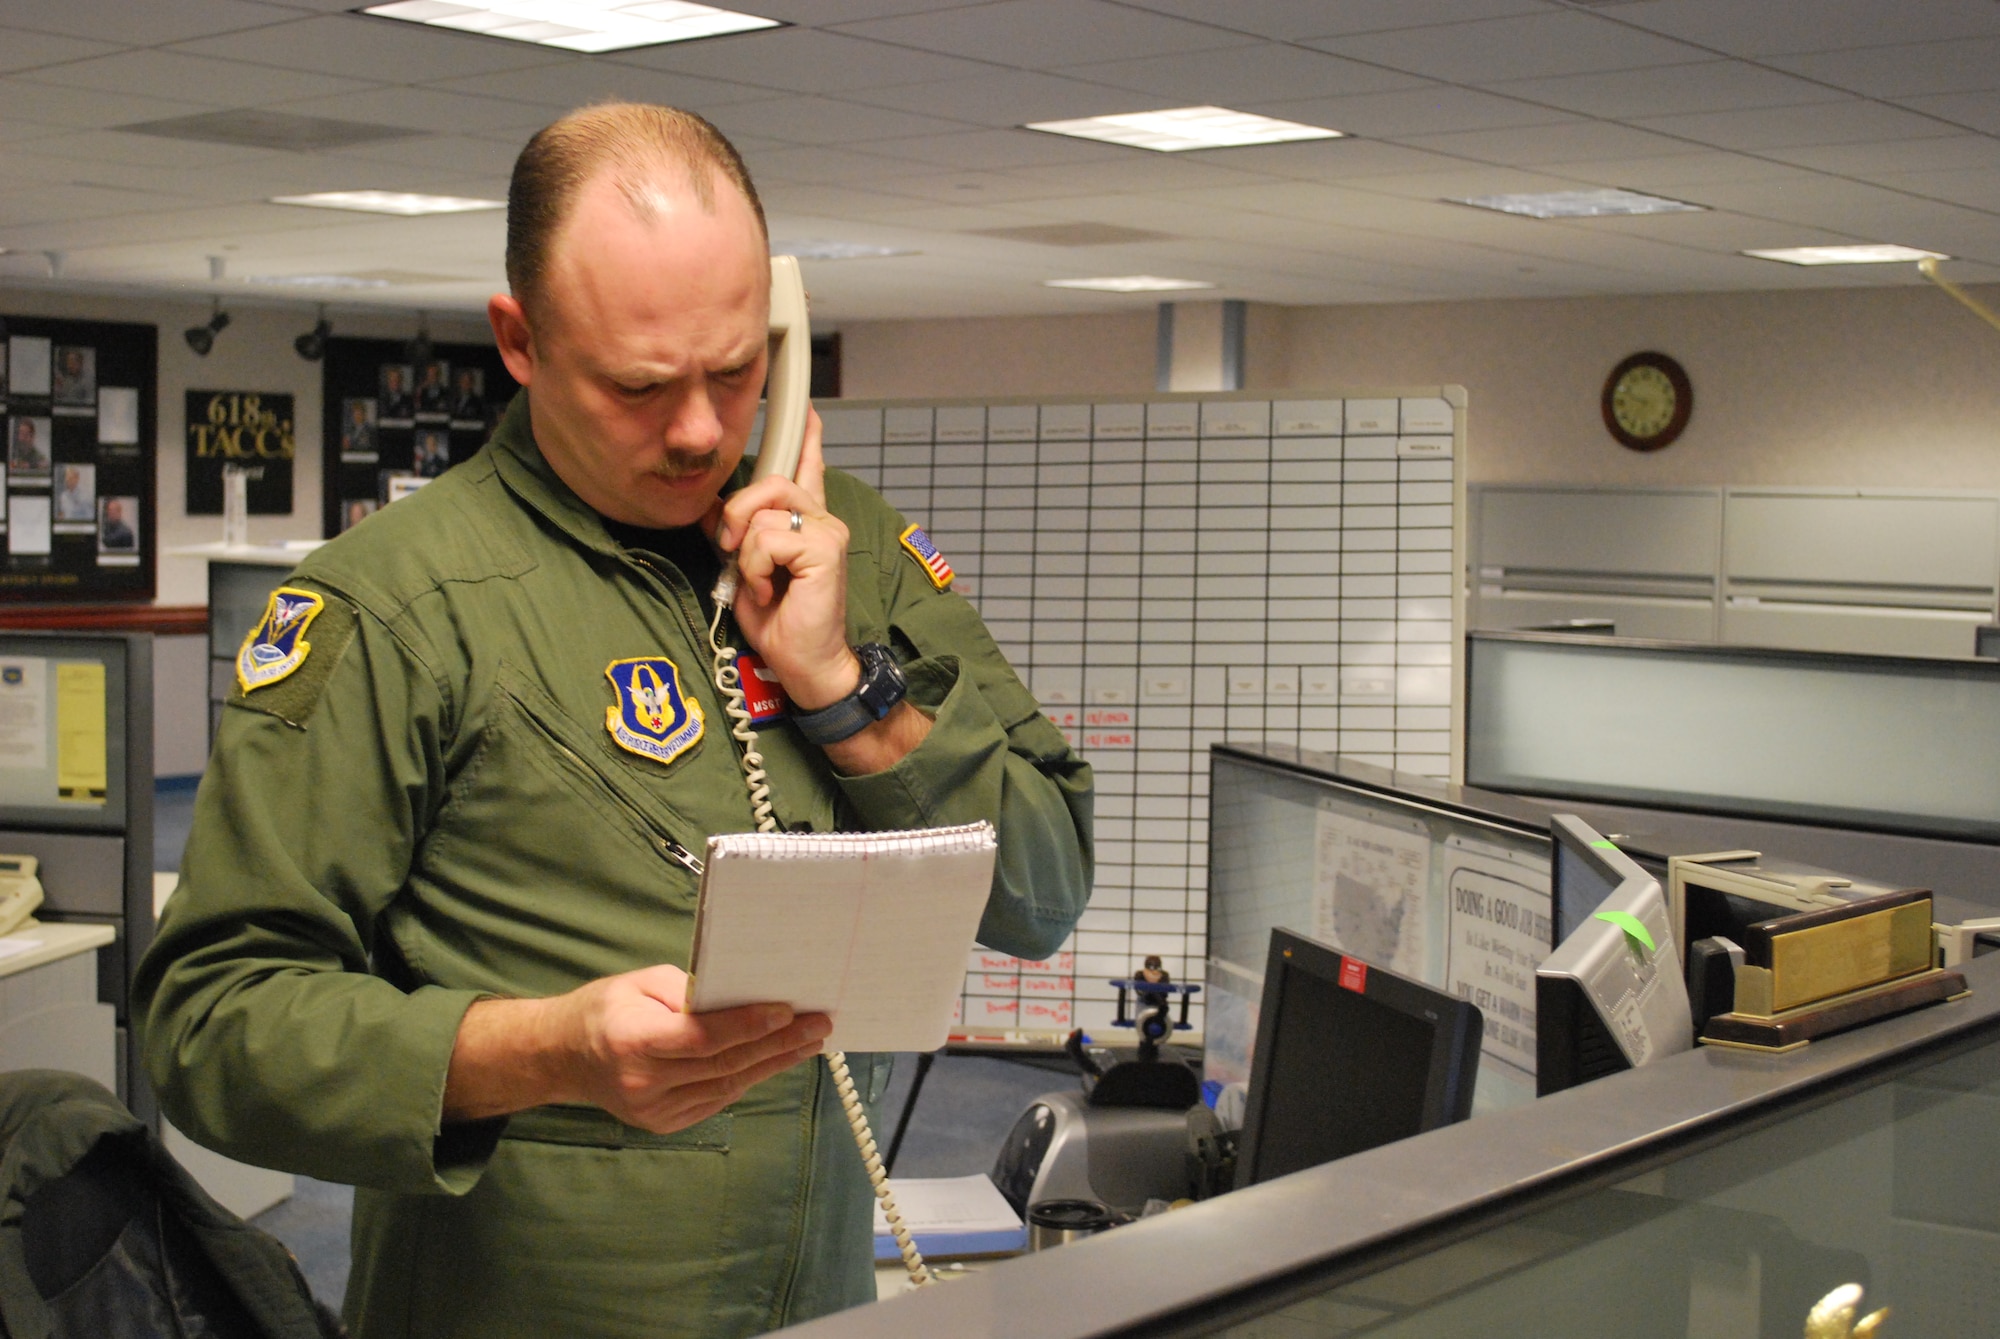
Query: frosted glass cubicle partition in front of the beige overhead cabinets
[{"x": 1869, "y": 742}]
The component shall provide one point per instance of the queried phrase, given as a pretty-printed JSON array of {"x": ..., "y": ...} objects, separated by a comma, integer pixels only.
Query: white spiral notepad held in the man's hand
[{"x": 869, "y": 928}]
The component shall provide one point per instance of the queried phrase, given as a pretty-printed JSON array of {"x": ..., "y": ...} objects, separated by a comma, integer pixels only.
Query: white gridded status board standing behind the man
[{"x": 1173, "y": 573}]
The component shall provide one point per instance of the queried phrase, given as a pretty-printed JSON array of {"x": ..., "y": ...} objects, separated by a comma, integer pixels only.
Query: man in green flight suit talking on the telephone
[{"x": 439, "y": 892}]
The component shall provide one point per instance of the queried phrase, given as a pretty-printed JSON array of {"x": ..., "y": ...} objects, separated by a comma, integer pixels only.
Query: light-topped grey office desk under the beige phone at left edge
[{"x": 49, "y": 1002}]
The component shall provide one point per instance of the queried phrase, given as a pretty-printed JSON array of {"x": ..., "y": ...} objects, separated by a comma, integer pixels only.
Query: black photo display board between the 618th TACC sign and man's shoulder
[{"x": 393, "y": 425}]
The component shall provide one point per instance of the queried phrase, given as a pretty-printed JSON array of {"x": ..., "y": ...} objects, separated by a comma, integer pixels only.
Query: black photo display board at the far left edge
[{"x": 81, "y": 461}]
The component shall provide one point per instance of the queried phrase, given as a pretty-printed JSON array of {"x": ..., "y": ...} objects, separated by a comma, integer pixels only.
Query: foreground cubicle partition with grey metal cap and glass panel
[{"x": 1713, "y": 1194}]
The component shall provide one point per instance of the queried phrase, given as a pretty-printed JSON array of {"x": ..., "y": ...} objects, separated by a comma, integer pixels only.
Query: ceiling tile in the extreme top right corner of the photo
[{"x": 1777, "y": 27}]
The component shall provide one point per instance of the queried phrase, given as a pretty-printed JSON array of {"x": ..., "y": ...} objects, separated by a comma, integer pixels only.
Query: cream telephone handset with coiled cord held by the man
[{"x": 787, "y": 399}]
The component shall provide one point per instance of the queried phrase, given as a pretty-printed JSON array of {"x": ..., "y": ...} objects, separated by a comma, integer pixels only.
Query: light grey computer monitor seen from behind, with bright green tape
[{"x": 1613, "y": 994}]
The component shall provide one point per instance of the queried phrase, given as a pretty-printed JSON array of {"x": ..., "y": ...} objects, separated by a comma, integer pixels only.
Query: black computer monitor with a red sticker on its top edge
[{"x": 1349, "y": 1058}]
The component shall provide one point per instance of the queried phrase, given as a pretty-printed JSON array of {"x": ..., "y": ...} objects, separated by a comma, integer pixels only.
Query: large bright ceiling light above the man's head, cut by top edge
[{"x": 577, "y": 25}]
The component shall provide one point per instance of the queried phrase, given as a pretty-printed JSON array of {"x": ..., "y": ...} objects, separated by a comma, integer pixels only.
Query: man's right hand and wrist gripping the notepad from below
[{"x": 623, "y": 1044}]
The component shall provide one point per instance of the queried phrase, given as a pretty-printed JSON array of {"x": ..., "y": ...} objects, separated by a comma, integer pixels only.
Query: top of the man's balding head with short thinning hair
[{"x": 651, "y": 153}]
